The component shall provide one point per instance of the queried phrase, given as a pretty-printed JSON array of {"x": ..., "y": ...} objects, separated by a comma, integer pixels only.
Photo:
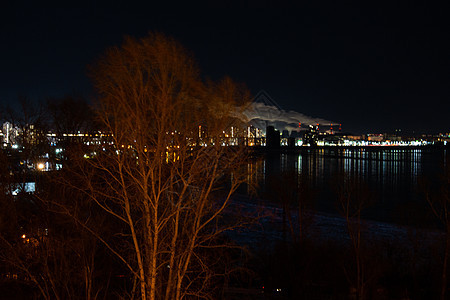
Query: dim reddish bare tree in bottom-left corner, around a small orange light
[{"x": 41, "y": 249}]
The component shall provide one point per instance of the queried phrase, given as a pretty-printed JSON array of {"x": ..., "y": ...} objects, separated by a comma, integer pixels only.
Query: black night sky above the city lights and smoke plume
[{"x": 371, "y": 67}]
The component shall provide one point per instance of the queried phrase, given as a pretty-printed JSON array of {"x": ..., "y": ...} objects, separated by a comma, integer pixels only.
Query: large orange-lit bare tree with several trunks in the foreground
[{"x": 164, "y": 175}]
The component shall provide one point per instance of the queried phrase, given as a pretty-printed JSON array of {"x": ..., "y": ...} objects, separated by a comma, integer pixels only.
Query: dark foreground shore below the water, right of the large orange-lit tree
[{"x": 398, "y": 262}]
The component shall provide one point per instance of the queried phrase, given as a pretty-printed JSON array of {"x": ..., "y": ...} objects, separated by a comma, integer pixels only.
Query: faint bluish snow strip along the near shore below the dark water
[{"x": 321, "y": 227}]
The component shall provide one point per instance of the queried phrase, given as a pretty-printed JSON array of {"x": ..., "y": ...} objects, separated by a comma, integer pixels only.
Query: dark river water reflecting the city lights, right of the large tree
[{"x": 393, "y": 178}]
